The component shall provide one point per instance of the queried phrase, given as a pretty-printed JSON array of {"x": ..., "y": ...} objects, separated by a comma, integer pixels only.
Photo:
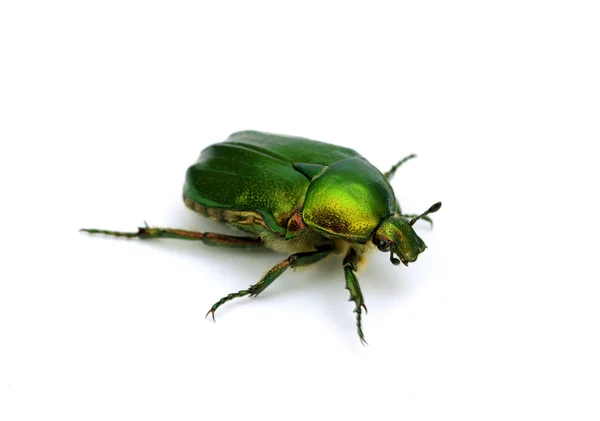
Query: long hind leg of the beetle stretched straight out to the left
[{"x": 209, "y": 238}]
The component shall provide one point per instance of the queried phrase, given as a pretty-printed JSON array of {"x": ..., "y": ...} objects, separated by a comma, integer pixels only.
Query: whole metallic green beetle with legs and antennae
[{"x": 297, "y": 195}]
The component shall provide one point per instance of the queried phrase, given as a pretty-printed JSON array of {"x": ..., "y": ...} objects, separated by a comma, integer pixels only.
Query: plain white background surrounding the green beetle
[{"x": 103, "y": 105}]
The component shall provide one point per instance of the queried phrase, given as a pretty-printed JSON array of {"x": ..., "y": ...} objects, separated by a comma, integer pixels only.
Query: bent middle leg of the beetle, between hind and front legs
[{"x": 295, "y": 260}]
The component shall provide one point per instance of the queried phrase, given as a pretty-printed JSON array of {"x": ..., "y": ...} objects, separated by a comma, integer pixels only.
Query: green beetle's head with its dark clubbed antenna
[{"x": 397, "y": 236}]
